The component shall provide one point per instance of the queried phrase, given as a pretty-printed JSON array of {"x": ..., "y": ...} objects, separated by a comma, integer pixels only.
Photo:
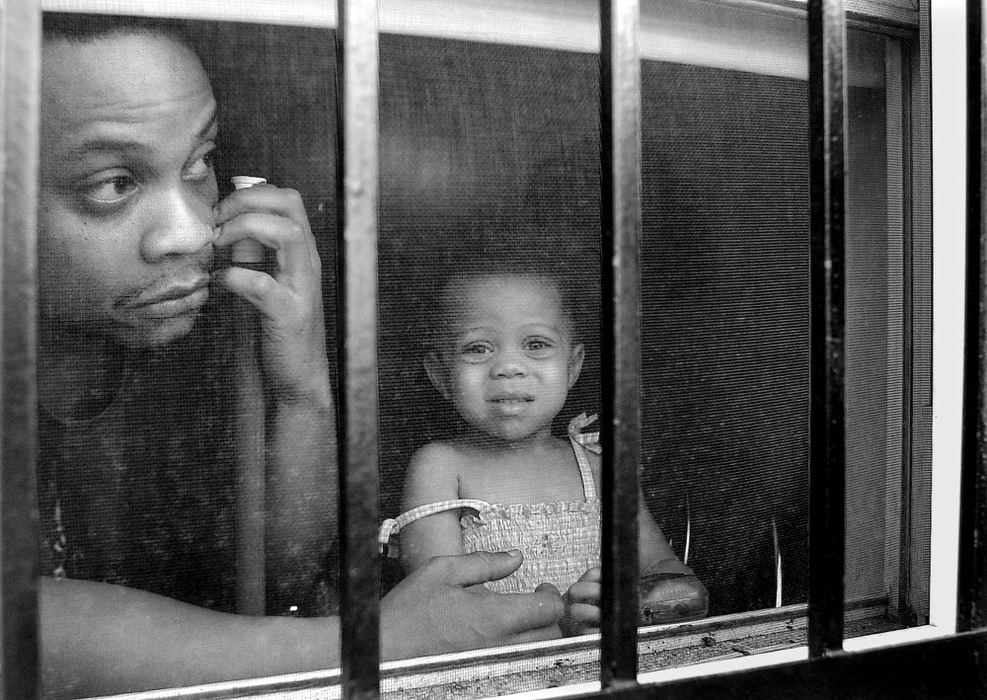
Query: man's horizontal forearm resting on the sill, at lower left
[{"x": 98, "y": 639}]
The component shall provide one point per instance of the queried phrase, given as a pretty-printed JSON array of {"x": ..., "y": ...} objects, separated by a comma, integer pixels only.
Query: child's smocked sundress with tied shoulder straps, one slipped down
[{"x": 559, "y": 540}]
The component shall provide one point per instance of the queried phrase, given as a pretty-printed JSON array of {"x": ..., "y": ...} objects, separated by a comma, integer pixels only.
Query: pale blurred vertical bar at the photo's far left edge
[{"x": 20, "y": 81}]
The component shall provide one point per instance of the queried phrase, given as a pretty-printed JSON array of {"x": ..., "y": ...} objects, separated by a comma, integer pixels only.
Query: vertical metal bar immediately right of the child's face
[{"x": 620, "y": 141}]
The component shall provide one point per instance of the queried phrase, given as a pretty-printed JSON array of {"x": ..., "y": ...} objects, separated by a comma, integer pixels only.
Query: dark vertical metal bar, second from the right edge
[{"x": 827, "y": 438}]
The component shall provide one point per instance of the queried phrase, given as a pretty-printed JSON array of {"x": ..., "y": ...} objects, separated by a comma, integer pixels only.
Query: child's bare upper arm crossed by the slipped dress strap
[{"x": 433, "y": 476}]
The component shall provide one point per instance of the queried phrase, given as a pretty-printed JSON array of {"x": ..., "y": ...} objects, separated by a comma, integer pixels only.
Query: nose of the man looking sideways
[{"x": 181, "y": 223}]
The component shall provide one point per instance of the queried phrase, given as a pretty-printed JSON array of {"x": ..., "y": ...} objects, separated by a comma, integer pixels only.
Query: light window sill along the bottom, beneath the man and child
[{"x": 567, "y": 667}]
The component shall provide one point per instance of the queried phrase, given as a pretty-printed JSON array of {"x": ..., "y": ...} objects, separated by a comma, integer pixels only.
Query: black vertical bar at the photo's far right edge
[{"x": 972, "y": 589}]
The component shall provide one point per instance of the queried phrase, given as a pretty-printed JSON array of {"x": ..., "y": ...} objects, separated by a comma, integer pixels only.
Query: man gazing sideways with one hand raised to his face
[{"x": 130, "y": 222}]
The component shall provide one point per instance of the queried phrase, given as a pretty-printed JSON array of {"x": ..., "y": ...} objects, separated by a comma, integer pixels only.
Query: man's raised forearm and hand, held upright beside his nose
[{"x": 301, "y": 441}]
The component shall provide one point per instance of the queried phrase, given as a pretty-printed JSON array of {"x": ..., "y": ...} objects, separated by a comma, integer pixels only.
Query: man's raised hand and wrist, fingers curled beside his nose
[{"x": 289, "y": 299}]
